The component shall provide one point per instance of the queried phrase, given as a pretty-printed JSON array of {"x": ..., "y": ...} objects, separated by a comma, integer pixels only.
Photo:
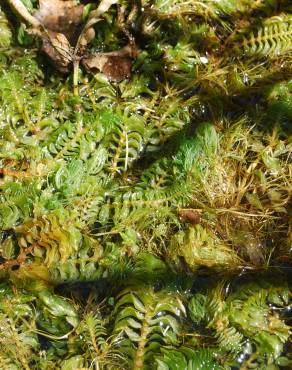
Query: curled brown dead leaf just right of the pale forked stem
[{"x": 116, "y": 65}]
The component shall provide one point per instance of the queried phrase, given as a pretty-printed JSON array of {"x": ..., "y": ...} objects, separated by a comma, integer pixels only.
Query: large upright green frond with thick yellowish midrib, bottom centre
[{"x": 145, "y": 320}]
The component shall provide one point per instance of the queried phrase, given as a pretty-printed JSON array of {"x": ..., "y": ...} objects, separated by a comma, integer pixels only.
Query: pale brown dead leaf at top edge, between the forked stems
[{"x": 60, "y": 16}]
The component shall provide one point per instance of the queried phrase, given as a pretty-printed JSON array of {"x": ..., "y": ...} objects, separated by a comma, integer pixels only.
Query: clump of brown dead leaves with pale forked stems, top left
[{"x": 58, "y": 23}]
